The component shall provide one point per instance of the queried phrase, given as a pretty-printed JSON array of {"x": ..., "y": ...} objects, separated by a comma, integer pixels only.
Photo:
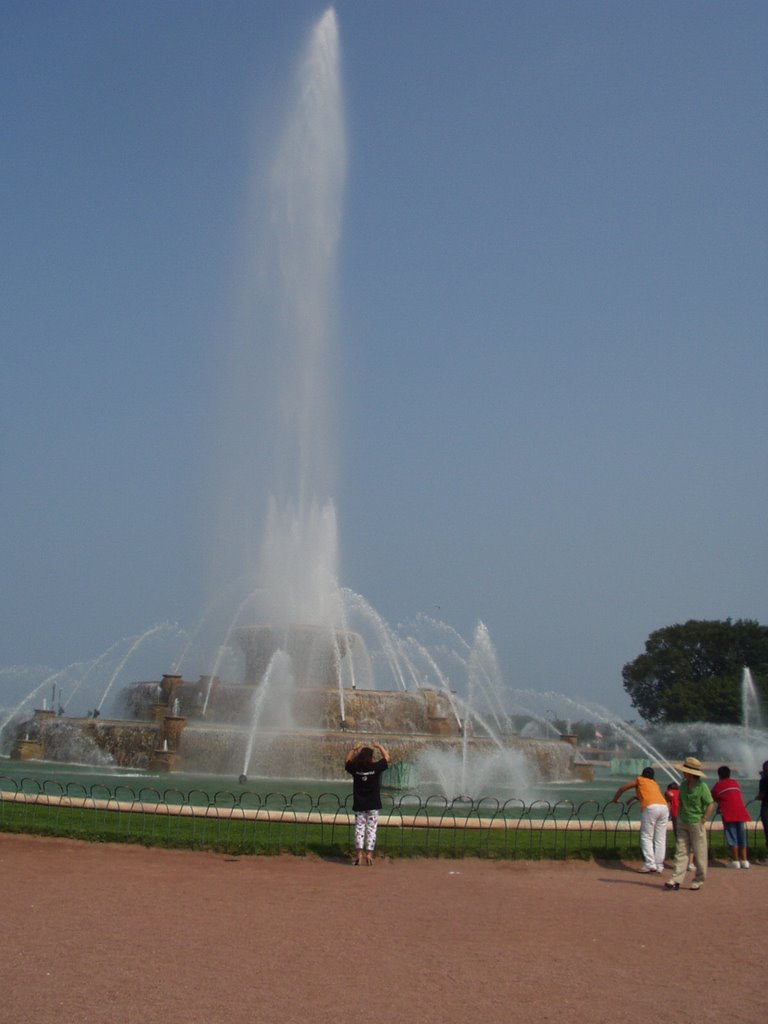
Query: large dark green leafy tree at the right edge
[{"x": 693, "y": 672}]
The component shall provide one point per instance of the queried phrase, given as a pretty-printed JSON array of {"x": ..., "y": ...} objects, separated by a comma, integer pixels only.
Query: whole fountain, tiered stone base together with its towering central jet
[{"x": 309, "y": 677}]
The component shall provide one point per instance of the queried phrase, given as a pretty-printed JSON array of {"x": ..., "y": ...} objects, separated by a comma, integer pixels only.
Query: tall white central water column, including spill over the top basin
[{"x": 298, "y": 561}]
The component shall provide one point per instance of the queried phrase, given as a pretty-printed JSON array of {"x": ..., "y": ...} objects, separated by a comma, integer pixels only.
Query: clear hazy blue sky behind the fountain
[{"x": 552, "y": 316}]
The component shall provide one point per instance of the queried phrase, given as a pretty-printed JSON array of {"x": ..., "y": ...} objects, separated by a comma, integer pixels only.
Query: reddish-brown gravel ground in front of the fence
[{"x": 96, "y": 934}]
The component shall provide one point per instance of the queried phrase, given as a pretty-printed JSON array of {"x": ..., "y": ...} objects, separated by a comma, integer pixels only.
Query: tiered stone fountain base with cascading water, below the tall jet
[{"x": 295, "y": 713}]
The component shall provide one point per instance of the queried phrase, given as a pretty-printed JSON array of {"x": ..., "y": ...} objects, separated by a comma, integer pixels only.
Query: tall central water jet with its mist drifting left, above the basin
[{"x": 280, "y": 437}]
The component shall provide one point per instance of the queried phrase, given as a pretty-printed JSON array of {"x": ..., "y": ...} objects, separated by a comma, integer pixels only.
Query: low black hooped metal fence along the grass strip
[{"x": 275, "y": 823}]
